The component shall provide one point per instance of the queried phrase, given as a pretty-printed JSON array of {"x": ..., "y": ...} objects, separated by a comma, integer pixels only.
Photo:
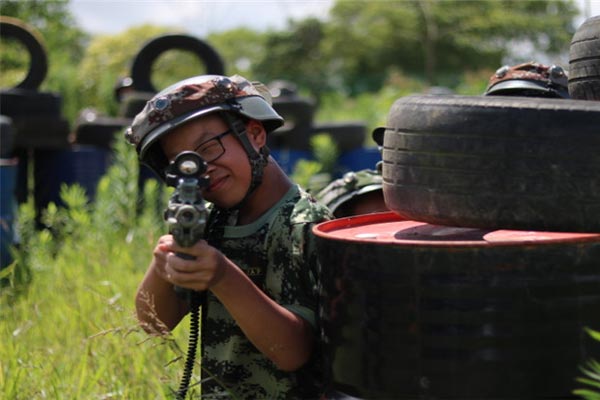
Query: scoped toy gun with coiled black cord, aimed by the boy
[{"x": 186, "y": 217}]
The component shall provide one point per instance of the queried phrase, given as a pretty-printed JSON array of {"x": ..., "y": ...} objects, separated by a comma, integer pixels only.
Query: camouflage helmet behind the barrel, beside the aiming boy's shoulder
[{"x": 350, "y": 186}]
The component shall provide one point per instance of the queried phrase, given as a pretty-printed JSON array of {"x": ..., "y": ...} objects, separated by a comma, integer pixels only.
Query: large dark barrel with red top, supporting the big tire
[{"x": 414, "y": 310}]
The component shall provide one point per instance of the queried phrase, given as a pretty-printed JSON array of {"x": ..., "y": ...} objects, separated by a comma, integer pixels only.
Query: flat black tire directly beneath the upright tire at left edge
[{"x": 25, "y": 102}]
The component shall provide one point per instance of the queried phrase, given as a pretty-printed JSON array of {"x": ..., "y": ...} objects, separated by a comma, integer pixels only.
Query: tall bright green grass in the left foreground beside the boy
[{"x": 67, "y": 324}]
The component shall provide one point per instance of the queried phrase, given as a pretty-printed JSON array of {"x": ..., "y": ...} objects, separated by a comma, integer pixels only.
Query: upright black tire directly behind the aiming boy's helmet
[{"x": 141, "y": 70}]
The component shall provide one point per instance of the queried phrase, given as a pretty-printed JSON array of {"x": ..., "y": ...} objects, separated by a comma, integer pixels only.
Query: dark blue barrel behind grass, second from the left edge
[{"x": 83, "y": 165}]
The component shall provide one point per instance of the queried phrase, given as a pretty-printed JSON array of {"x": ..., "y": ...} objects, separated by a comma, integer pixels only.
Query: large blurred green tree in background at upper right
[{"x": 432, "y": 38}]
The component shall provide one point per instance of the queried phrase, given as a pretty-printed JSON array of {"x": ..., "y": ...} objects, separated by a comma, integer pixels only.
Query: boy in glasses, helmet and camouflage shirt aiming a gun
[{"x": 257, "y": 266}]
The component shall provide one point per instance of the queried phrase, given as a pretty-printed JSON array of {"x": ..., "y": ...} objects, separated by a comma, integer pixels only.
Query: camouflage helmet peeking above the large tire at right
[{"x": 529, "y": 79}]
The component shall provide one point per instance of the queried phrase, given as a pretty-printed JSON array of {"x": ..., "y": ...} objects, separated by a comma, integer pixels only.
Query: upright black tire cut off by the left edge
[{"x": 38, "y": 67}]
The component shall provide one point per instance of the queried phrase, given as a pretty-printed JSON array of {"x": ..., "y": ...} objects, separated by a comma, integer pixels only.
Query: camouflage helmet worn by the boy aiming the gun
[{"x": 192, "y": 98}]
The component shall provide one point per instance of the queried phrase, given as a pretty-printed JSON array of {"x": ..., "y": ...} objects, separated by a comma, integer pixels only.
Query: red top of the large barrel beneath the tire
[{"x": 388, "y": 228}]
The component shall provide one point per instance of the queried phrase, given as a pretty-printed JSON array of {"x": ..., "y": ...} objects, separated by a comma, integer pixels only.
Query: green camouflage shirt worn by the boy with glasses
[{"x": 277, "y": 253}]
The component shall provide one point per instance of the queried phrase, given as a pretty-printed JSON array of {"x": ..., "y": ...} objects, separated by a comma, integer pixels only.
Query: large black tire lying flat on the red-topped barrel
[{"x": 494, "y": 162}]
